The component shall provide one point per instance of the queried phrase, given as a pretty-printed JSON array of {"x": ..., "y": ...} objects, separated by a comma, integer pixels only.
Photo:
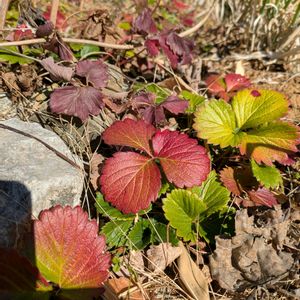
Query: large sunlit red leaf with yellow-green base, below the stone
[{"x": 69, "y": 251}]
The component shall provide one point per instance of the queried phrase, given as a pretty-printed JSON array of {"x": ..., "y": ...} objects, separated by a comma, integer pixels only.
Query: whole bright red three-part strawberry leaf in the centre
[{"x": 131, "y": 181}]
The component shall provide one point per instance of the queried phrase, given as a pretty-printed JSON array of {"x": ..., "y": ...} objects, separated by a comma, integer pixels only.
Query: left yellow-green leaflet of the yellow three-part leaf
[{"x": 215, "y": 121}]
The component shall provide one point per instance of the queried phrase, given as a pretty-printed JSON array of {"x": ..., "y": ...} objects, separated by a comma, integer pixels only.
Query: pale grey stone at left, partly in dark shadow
[{"x": 32, "y": 177}]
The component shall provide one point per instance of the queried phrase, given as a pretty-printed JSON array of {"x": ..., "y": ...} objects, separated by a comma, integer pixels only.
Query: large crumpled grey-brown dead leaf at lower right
[{"x": 253, "y": 256}]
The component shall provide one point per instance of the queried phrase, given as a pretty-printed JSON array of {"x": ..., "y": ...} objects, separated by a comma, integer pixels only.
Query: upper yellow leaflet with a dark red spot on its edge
[{"x": 253, "y": 109}]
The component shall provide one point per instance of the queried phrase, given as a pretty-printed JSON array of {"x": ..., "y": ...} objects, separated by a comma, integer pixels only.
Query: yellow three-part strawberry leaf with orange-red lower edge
[{"x": 252, "y": 123}]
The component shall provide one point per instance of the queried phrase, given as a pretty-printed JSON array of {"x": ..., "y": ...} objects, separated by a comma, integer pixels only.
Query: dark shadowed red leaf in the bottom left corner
[{"x": 18, "y": 275}]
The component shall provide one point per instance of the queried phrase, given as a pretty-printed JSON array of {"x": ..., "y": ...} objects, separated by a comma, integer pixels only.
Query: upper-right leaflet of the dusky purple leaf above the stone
[{"x": 95, "y": 72}]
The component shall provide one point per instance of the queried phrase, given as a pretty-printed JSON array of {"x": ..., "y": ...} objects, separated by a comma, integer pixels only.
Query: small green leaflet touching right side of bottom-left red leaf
[{"x": 116, "y": 232}]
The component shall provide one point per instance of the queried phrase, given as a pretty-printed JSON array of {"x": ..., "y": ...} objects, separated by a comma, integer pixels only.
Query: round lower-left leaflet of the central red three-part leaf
[{"x": 130, "y": 181}]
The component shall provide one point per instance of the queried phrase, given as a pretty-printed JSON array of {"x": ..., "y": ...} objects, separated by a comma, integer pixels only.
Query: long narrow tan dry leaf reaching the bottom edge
[{"x": 191, "y": 276}]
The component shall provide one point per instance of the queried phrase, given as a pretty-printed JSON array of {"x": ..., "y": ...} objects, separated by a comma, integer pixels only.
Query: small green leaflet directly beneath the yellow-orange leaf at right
[{"x": 268, "y": 176}]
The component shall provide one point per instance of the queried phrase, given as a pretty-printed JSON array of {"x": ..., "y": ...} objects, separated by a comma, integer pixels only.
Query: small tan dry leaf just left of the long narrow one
[{"x": 162, "y": 255}]
